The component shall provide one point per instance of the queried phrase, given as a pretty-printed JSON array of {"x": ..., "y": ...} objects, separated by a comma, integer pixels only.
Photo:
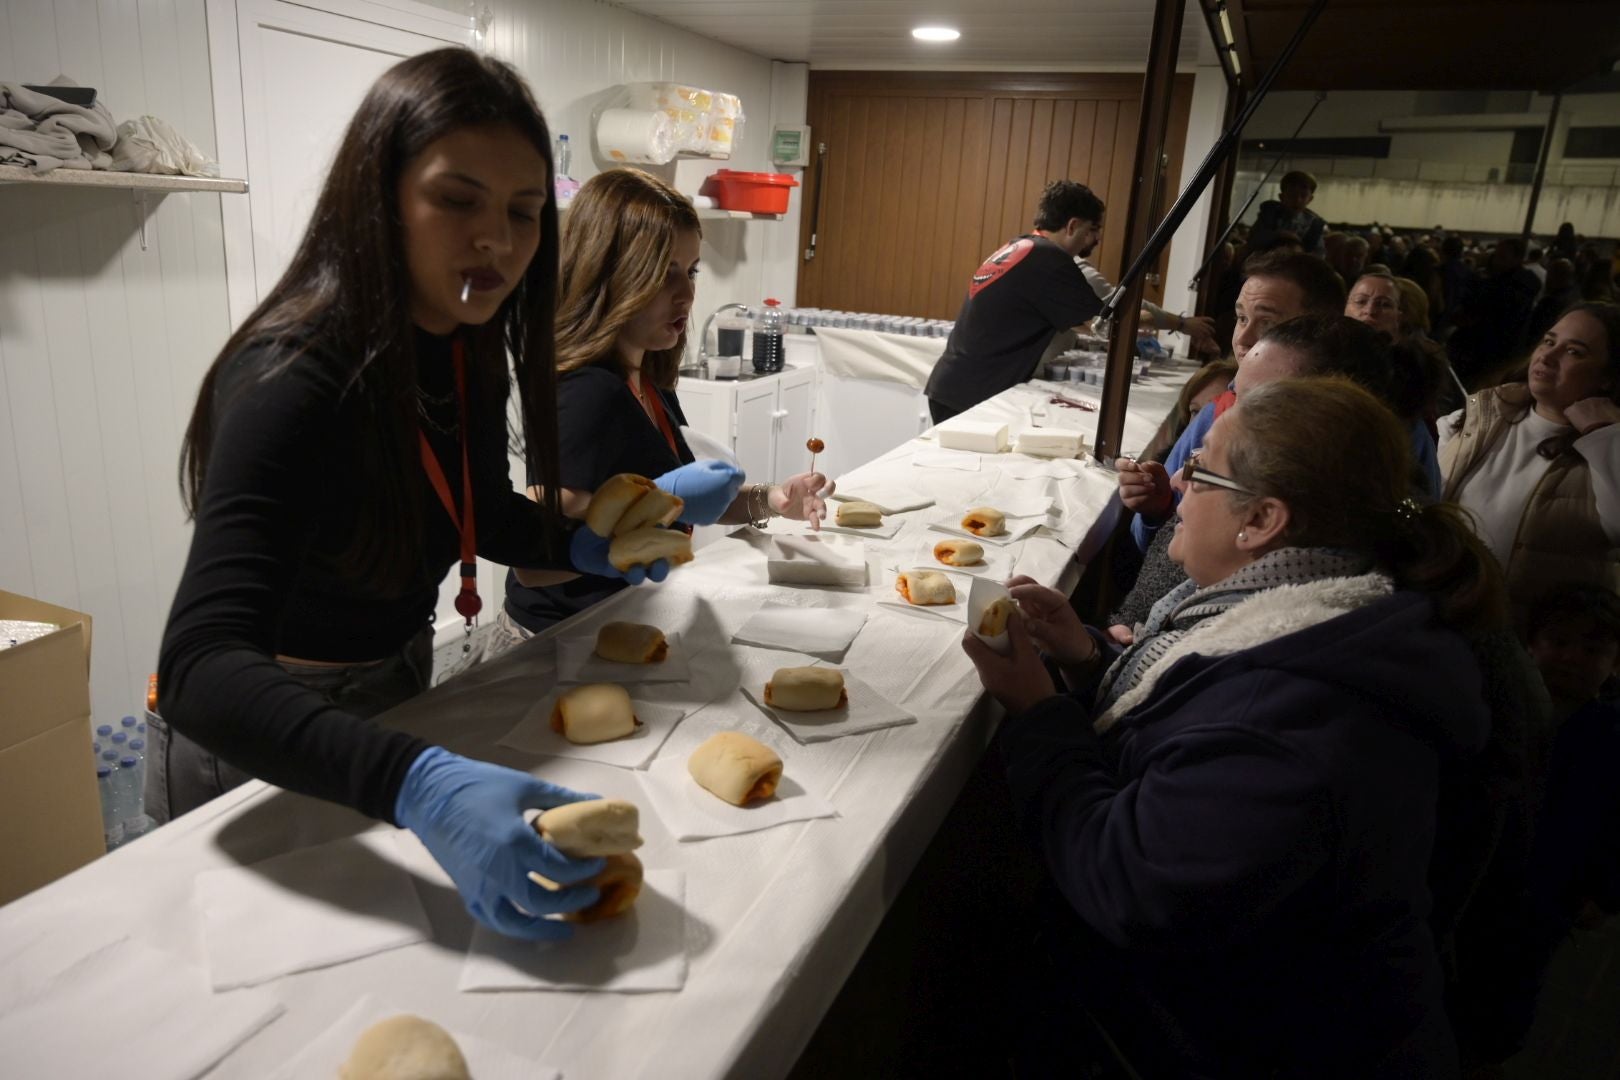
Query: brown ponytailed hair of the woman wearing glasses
[{"x": 1350, "y": 491}]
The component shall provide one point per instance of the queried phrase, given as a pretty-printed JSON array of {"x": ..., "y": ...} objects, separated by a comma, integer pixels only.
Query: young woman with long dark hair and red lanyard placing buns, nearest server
[{"x": 349, "y": 446}]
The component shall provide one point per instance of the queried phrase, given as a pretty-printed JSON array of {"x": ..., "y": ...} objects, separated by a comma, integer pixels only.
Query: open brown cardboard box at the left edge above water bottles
[{"x": 49, "y": 804}]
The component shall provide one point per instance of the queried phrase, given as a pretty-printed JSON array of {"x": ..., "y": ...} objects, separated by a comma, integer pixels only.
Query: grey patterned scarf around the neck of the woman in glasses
[{"x": 1187, "y": 606}]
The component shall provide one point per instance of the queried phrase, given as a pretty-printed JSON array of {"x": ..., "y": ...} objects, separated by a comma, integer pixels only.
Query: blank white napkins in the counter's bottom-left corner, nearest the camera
[{"x": 134, "y": 1013}]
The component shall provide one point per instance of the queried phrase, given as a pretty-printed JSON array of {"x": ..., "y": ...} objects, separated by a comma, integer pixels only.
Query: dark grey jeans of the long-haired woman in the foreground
[{"x": 182, "y": 776}]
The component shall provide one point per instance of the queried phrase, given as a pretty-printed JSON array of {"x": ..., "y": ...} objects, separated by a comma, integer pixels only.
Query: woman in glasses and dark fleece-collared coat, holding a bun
[{"x": 1242, "y": 807}]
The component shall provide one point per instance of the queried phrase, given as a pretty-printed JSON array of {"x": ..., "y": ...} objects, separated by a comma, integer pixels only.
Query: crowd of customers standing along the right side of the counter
[{"x": 1328, "y": 791}]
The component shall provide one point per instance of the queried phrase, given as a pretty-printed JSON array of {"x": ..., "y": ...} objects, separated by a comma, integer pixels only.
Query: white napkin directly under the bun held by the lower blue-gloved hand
[{"x": 644, "y": 950}]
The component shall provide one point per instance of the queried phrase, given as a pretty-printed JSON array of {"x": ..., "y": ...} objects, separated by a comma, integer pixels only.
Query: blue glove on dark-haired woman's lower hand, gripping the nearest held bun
[{"x": 471, "y": 817}]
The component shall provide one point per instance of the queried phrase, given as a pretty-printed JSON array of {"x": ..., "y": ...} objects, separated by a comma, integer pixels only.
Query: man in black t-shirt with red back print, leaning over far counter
[{"x": 1018, "y": 300}]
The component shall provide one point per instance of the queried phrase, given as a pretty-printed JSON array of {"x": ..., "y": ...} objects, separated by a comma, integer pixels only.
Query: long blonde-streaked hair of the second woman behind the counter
[{"x": 616, "y": 247}]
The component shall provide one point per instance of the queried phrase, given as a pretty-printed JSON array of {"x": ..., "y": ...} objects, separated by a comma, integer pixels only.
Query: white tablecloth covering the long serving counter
[{"x": 777, "y": 919}]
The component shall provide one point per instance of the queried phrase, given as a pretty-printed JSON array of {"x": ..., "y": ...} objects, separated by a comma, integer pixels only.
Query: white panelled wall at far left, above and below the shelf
[{"x": 103, "y": 344}]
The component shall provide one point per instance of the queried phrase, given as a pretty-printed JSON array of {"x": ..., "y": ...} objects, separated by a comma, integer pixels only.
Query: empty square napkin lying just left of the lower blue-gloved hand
[{"x": 309, "y": 909}]
